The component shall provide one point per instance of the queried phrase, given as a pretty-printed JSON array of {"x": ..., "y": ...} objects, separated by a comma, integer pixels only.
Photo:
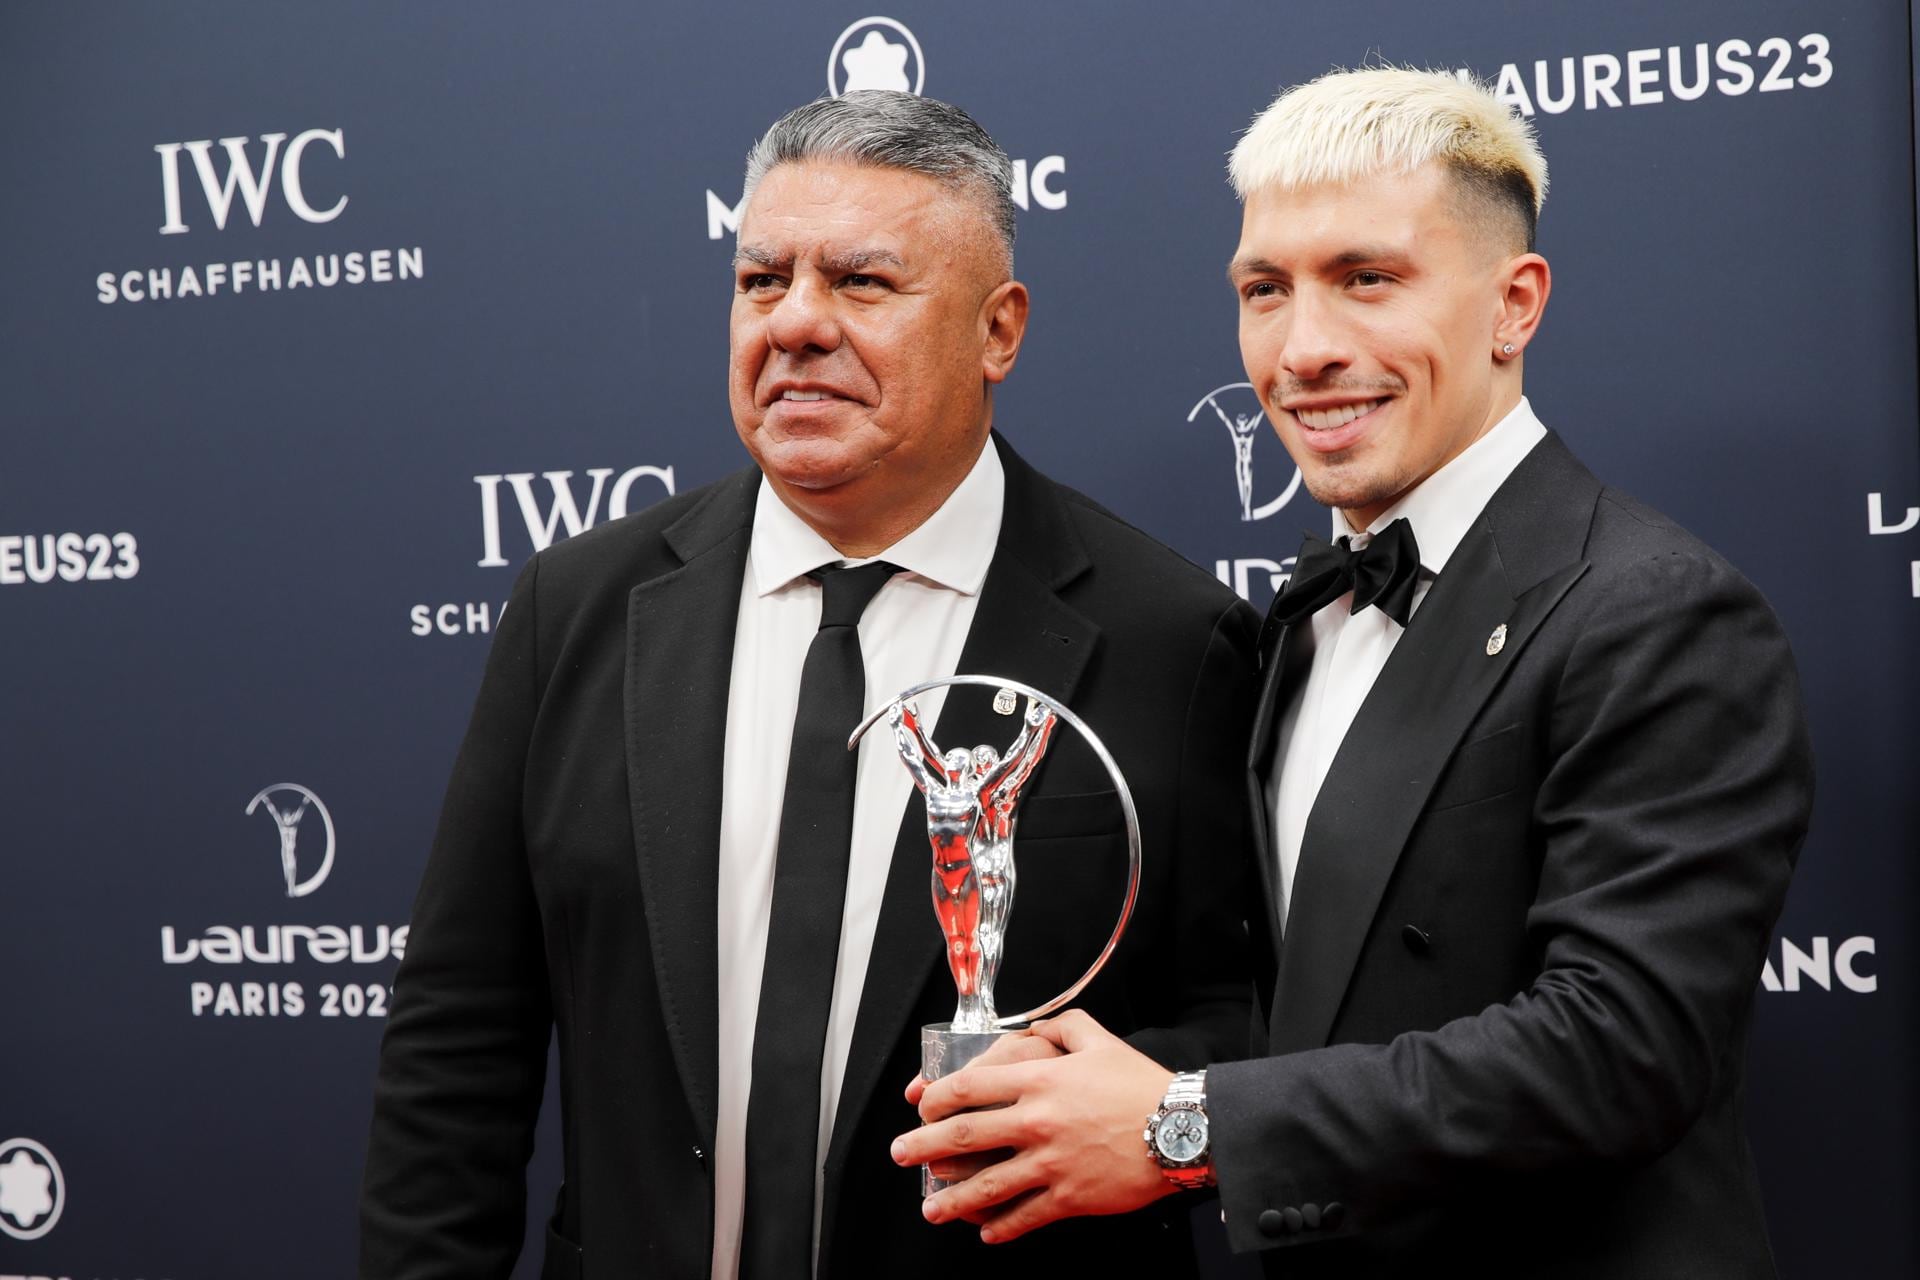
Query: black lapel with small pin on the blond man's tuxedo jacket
[{"x": 1512, "y": 569}]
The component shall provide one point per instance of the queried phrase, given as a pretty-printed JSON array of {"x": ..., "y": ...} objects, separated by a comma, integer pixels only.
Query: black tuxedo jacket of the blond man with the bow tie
[{"x": 1508, "y": 1014}]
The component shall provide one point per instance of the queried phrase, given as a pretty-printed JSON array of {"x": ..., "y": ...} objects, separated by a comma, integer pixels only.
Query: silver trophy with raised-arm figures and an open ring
[{"x": 972, "y": 799}]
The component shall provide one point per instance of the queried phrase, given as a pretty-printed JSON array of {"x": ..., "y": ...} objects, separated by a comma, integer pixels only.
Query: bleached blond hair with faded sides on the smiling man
[{"x": 1351, "y": 126}]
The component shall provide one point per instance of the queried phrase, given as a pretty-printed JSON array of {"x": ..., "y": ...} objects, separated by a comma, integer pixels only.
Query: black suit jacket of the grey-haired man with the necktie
[{"x": 573, "y": 886}]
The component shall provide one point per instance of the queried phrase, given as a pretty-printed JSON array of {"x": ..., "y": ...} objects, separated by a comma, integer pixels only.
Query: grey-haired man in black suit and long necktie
[{"x": 658, "y": 843}]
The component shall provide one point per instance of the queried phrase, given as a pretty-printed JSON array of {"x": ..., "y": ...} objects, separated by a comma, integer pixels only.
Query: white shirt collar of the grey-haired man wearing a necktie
[{"x": 951, "y": 548}]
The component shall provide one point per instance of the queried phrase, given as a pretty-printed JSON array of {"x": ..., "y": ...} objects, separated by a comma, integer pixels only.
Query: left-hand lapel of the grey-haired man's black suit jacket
[{"x": 681, "y": 653}]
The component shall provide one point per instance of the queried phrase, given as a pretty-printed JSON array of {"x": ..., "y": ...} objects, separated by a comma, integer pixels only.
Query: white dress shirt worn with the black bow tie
[{"x": 1351, "y": 650}]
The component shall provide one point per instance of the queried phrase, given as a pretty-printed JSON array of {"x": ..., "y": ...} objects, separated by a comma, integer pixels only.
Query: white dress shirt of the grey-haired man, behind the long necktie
[{"x": 911, "y": 632}]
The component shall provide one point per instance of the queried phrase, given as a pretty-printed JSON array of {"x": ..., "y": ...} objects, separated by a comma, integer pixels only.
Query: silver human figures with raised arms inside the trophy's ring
[{"x": 971, "y": 801}]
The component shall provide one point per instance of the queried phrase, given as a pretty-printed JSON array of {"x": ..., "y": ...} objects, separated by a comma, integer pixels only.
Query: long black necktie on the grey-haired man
[{"x": 804, "y": 937}]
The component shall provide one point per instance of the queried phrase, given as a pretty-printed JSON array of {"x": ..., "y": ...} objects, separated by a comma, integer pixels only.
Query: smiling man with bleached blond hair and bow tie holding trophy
[{"x": 1531, "y": 767}]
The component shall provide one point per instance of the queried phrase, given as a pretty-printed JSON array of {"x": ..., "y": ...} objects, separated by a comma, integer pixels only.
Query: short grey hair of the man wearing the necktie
[{"x": 892, "y": 130}]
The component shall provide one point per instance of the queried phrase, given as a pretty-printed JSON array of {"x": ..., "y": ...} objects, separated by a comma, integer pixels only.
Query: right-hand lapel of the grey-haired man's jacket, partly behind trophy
[{"x": 1020, "y": 630}]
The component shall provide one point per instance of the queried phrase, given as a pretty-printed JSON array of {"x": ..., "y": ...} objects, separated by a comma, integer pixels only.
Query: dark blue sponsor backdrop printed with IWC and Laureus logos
[{"x": 320, "y": 320}]
